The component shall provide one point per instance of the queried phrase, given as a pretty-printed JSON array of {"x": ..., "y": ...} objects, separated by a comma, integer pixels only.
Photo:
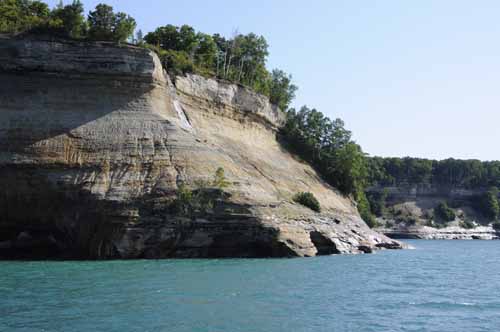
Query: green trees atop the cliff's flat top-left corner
[{"x": 67, "y": 21}]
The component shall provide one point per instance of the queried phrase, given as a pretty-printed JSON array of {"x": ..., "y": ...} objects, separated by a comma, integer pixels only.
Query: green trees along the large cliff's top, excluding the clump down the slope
[{"x": 240, "y": 59}]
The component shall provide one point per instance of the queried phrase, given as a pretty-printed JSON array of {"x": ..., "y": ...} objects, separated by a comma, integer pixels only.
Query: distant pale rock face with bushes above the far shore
[{"x": 410, "y": 211}]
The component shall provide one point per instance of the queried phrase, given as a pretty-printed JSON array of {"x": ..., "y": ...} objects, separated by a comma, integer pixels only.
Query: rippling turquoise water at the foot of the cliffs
[{"x": 440, "y": 286}]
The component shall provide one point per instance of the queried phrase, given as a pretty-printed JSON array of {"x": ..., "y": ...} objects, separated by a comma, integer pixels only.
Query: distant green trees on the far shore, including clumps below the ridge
[{"x": 455, "y": 173}]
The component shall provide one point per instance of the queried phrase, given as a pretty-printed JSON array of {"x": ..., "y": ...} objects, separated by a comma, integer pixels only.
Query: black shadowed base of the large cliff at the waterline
[{"x": 43, "y": 220}]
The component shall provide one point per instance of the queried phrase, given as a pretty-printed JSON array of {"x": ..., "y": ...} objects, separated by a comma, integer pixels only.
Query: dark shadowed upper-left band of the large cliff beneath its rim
[{"x": 35, "y": 107}]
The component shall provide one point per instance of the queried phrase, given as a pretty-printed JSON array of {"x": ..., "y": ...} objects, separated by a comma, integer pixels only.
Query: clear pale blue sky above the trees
[{"x": 418, "y": 78}]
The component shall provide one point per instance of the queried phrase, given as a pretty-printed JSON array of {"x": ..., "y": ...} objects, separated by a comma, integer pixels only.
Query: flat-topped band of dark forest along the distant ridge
[{"x": 467, "y": 174}]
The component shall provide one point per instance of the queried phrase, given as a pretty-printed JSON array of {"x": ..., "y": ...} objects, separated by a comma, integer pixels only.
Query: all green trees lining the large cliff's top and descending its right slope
[{"x": 241, "y": 59}]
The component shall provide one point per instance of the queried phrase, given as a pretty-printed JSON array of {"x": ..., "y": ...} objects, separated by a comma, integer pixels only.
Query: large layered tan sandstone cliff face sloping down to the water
[{"x": 95, "y": 141}]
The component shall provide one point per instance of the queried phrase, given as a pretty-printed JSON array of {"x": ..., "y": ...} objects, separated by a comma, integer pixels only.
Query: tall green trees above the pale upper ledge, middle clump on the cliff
[{"x": 240, "y": 59}]
